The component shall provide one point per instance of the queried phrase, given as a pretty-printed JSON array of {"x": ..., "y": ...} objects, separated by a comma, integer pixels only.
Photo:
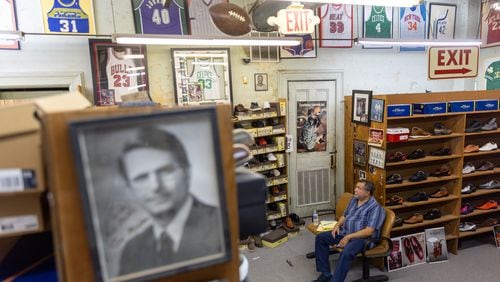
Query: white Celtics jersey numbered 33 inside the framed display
[{"x": 209, "y": 76}]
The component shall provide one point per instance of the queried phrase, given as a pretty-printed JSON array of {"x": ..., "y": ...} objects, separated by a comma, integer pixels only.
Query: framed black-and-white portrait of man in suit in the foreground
[{"x": 153, "y": 193}]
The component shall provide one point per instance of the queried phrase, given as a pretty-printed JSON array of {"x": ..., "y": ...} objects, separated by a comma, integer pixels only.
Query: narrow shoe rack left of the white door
[{"x": 268, "y": 127}]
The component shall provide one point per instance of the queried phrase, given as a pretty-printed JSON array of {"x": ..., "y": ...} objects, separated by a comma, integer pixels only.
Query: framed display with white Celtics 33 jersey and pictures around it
[{"x": 201, "y": 76}]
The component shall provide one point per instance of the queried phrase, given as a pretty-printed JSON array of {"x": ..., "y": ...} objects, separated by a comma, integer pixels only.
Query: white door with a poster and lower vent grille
[{"x": 311, "y": 123}]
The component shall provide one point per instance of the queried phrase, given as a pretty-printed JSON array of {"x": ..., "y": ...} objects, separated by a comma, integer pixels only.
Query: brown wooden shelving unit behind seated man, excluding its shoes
[{"x": 449, "y": 206}]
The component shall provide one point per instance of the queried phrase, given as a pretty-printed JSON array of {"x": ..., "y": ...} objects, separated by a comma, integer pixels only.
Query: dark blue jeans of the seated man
[{"x": 322, "y": 246}]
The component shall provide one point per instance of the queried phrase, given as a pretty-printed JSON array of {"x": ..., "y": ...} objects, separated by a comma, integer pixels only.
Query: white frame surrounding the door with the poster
[{"x": 284, "y": 76}]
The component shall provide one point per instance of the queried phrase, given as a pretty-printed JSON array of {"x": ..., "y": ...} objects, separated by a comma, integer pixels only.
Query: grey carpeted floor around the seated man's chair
[{"x": 478, "y": 260}]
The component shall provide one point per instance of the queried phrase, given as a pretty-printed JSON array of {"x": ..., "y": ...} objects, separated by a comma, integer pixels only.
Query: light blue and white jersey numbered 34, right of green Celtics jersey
[{"x": 412, "y": 25}]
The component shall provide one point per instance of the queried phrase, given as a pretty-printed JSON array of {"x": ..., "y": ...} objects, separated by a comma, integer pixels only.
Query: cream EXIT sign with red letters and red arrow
[{"x": 453, "y": 62}]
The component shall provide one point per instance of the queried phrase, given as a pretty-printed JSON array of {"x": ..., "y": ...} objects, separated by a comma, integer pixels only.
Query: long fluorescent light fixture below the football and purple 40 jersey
[{"x": 188, "y": 40}]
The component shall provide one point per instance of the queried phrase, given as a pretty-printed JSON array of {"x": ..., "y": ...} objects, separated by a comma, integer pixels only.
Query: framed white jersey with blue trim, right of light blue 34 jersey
[{"x": 442, "y": 18}]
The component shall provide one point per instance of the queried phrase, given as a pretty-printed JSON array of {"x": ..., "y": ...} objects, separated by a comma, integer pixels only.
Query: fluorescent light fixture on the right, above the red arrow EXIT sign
[{"x": 373, "y": 41}]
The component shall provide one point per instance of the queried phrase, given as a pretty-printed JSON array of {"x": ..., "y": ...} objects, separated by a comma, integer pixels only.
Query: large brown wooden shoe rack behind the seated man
[{"x": 434, "y": 198}]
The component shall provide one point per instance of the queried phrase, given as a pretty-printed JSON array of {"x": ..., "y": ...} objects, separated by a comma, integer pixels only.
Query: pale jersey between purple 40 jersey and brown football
[{"x": 200, "y": 20}]
